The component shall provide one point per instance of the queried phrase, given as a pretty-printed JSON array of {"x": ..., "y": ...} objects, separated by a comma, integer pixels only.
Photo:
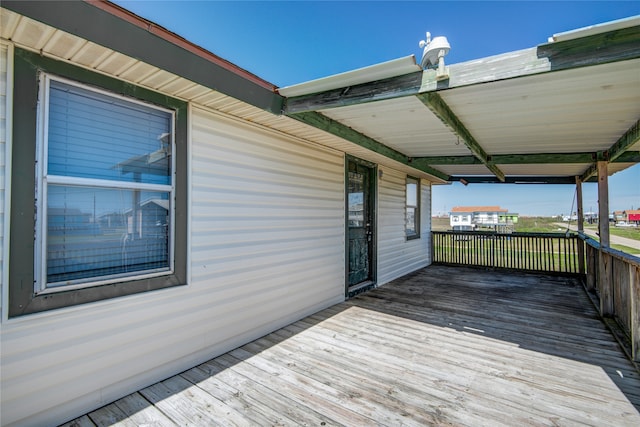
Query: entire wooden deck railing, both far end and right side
[{"x": 611, "y": 277}]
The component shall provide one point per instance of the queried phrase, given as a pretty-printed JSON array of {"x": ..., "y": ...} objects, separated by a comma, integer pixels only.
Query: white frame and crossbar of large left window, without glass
[{"x": 43, "y": 179}]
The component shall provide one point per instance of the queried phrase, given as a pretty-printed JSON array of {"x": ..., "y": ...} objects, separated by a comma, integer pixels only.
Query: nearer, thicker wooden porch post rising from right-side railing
[{"x": 604, "y": 260}]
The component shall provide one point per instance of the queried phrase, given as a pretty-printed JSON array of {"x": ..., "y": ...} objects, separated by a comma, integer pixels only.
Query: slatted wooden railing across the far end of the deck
[{"x": 552, "y": 252}]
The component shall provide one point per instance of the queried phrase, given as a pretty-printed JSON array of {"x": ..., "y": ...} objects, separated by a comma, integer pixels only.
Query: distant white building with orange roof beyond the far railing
[{"x": 469, "y": 218}]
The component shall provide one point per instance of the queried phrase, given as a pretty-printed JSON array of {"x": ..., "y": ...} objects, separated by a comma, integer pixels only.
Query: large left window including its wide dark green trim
[{"x": 99, "y": 203}]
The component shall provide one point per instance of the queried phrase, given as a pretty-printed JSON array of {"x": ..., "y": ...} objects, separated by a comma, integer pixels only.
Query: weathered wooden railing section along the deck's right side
[{"x": 613, "y": 277}]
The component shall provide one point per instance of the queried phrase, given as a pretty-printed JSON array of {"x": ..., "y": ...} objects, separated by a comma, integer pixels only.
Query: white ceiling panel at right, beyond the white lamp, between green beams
[{"x": 580, "y": 110}]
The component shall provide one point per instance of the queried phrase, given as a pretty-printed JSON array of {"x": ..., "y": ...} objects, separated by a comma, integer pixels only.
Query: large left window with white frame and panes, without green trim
[{"x": 105, "y": 187}]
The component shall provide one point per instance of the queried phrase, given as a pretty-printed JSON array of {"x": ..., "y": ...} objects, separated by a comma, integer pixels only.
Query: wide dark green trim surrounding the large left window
[{"x": 22, "y": 298}]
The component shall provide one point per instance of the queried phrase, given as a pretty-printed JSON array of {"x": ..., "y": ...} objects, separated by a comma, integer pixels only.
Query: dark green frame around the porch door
[{"x": 351, "y": 291}]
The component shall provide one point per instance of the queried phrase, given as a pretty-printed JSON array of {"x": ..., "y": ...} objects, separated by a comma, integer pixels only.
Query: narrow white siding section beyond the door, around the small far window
[{"x": 398, "y": 256}]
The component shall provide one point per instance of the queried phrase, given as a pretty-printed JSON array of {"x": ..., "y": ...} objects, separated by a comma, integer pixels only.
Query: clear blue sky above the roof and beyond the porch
[{"x": 289, "y": 42}]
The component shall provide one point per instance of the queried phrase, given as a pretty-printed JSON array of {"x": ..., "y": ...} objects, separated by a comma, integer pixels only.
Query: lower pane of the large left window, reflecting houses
[{"x": 94, "y": 232}]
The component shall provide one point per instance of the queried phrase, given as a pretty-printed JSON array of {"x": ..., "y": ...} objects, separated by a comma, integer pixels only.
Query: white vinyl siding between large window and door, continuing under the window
[{"x": 267, "y": 248}]
